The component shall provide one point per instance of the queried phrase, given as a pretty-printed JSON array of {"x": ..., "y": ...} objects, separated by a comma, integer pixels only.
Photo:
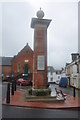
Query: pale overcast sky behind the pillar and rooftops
[{"x": 62, "y": 32}]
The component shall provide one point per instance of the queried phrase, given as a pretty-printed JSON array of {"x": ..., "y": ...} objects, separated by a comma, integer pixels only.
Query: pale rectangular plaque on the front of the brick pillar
[{"x": 40, "y": 62}]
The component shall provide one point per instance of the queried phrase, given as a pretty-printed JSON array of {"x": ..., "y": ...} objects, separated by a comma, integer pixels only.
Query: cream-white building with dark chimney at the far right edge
[{"x": 73, "y": 71}]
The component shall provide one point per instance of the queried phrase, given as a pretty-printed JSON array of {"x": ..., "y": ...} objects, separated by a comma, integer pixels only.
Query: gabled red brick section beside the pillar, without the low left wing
[{"x": 25, "y": 56}]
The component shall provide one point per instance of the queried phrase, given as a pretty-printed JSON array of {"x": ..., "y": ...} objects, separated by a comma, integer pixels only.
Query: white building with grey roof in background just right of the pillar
[{"x": 53, "y": 75}]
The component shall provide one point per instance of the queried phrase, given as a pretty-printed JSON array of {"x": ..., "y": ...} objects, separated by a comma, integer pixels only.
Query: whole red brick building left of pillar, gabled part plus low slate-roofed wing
[{"x": 10, "y": 66}]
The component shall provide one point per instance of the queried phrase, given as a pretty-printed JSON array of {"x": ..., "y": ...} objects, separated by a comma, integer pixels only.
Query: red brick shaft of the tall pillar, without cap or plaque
[{"x": 40, "y": 49}]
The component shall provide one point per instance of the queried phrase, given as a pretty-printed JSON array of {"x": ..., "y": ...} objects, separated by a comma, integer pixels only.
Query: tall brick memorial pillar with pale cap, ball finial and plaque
[{"x": 40, "y": 26}]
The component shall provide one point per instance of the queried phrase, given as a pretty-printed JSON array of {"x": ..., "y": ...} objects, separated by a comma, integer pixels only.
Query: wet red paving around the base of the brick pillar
[{"x": 18, "y": 100}]
